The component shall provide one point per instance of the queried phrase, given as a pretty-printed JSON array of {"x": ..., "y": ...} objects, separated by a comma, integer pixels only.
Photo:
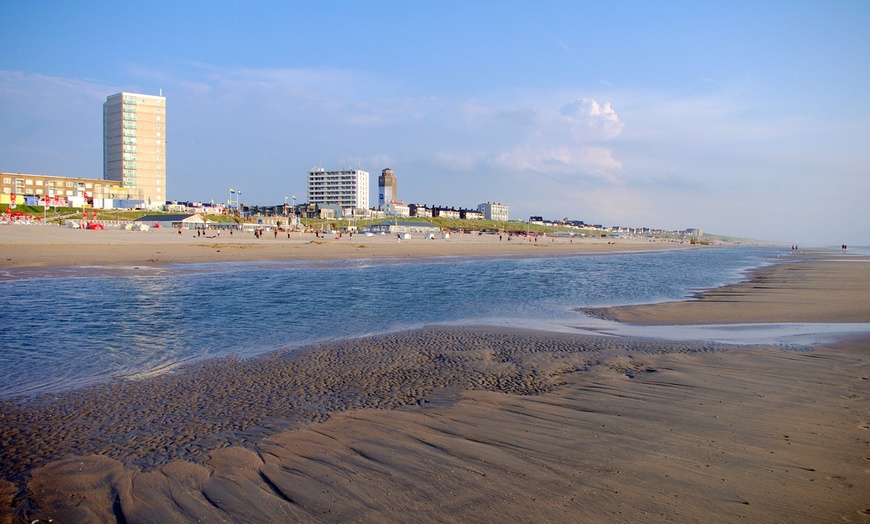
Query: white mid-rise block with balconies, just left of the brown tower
[{"x": 347, "y": 189}]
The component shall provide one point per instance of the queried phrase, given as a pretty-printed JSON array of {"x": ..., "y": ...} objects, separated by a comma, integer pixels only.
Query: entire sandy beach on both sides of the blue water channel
[{"x": 450, "y": 424}]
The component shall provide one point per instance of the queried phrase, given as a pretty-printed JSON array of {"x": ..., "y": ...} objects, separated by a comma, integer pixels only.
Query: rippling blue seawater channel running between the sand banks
[{"x": 67, "y": 328}]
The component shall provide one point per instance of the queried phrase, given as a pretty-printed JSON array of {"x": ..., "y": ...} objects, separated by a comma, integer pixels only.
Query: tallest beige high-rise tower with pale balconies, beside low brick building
[{"x": 134, "y": 145}]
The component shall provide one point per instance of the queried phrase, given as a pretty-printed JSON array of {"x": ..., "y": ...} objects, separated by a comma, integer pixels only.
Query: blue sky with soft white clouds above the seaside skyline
[{"x": 742, "y": 118}]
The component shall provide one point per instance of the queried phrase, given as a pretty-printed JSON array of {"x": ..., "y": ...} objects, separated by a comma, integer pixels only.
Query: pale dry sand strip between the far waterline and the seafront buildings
[{"x": 47, "y": 246}]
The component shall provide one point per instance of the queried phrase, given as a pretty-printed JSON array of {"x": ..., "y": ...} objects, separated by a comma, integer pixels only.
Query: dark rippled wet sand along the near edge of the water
[{"x": 186, "y": 415}]
